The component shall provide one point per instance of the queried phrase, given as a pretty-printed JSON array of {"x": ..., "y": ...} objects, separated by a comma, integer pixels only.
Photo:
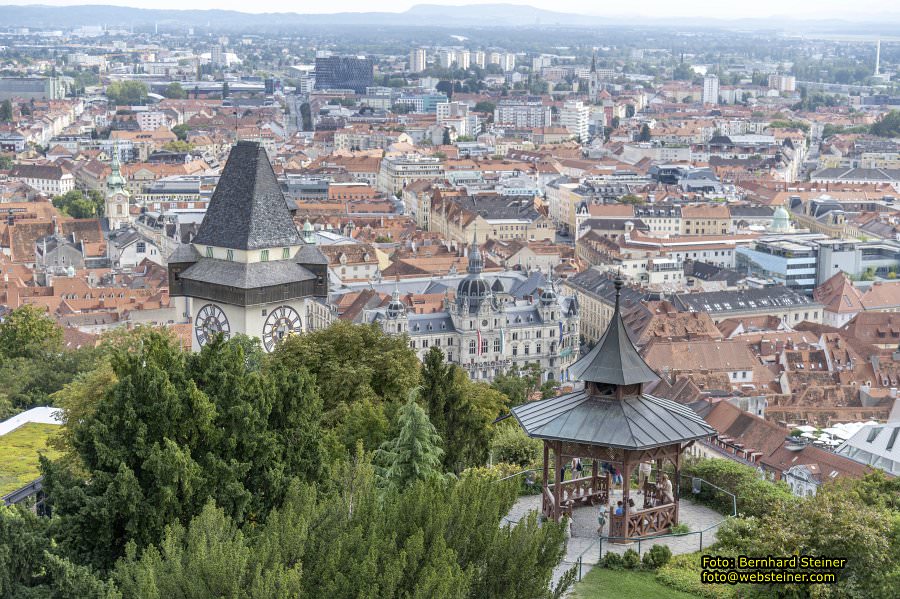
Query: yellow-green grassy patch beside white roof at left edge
[{"x": 19, "y": 451}]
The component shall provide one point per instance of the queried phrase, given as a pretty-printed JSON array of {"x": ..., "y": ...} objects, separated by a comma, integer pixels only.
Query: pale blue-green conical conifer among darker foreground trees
[{"x": 415, "y": 453}]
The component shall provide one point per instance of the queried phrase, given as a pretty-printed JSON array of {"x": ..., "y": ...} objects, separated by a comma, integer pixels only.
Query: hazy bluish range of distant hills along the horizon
[{"x": 422, "y": 15}]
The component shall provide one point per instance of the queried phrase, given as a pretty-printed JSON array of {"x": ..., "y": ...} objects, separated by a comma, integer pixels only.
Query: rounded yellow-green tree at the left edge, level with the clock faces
[{"x": 28, "y": 332}]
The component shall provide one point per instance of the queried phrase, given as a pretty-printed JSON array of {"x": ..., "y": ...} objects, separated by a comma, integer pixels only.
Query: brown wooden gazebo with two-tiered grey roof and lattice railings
[{"x": 611, "y": 420}]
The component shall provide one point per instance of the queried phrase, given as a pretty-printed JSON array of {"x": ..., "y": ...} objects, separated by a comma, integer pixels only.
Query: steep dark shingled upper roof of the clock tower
[{"x": 247, "y": 210}]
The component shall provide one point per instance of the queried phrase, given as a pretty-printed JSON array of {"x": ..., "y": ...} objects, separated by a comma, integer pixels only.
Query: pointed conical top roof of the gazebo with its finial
[{"x": 614, "y": 360}]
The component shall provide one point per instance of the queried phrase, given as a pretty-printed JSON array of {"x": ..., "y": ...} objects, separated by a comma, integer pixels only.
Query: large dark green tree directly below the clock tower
[{"x": 173, "y": 430}]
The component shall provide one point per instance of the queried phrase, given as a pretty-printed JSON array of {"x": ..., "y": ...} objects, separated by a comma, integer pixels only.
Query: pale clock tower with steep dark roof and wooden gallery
[{"x": 247, "y": 270}]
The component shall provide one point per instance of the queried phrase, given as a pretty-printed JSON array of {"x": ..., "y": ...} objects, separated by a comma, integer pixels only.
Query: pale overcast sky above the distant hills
[{"x": 723, "y": 9}]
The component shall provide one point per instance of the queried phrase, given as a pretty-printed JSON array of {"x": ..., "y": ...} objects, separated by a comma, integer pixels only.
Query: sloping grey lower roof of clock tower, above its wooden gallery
[{"x": 246, "y": 276}]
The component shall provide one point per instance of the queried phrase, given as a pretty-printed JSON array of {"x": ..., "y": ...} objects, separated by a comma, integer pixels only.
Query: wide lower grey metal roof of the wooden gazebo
[{"x": 637, "y": 422}]
